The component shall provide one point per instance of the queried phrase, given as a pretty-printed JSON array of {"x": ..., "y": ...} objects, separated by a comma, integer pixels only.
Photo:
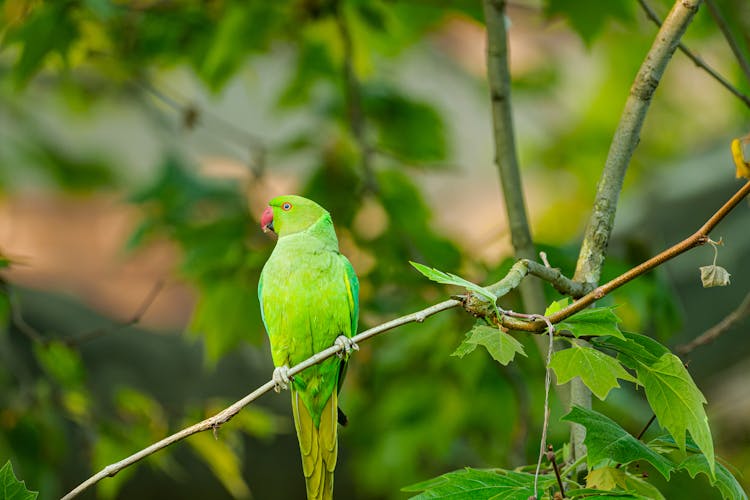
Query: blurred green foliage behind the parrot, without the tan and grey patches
[{"x": 415, "y": 410}]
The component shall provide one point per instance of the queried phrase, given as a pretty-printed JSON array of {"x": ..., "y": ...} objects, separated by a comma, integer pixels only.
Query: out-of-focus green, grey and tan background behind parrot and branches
[{"x": 140, "y": 141}]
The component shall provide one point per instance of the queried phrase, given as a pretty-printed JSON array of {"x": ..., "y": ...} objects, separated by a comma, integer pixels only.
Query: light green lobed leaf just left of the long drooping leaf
[{"x": 597, "y": 370}]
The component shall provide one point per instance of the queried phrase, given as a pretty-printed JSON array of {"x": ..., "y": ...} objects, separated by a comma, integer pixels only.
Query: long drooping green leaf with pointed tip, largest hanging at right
[{"x": 677, "y": 402}]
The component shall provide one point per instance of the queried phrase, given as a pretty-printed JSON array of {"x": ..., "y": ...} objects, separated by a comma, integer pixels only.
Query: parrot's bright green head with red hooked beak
[{"x": 290, "y": 214}]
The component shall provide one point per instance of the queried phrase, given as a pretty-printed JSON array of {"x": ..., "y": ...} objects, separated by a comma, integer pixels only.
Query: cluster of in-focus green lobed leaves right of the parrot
[{"x": 676, "y": 401}]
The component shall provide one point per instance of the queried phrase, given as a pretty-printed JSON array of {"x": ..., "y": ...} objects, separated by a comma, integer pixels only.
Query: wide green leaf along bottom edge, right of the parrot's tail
[{"x": 470, "y": 484}]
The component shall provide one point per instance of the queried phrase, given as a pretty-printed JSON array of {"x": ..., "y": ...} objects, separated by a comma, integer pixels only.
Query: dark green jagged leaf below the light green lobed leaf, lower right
[{"x": 608, "y": 442}]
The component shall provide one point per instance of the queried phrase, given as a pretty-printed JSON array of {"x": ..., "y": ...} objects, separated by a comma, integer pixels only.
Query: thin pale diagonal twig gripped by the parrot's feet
[{"x": 227, "y": 414}]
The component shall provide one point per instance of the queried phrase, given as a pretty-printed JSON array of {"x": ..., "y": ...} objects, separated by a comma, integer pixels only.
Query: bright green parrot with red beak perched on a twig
[{"x": 309, "y": 297}]
